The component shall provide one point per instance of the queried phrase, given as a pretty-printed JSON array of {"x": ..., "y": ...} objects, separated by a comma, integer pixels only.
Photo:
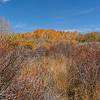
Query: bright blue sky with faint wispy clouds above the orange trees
[{"x": 73, "y": 15}]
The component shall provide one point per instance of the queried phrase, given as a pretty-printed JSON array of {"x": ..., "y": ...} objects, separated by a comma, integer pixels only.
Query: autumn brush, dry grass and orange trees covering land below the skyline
[{"x": 50, "y": 65}]
